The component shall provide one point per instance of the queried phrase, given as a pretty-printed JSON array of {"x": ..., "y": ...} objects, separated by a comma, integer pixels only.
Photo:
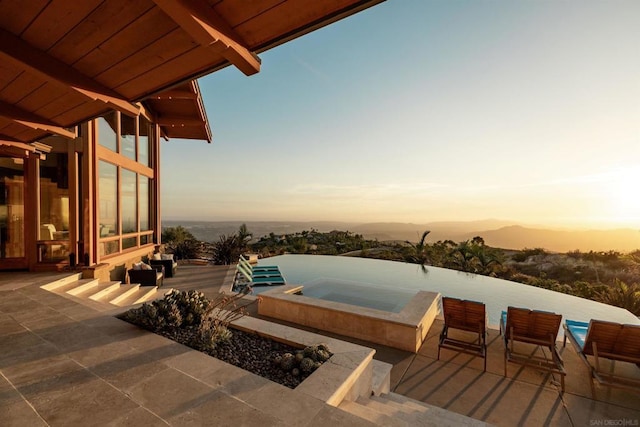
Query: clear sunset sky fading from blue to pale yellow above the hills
[{"x": 420, "y": 111}]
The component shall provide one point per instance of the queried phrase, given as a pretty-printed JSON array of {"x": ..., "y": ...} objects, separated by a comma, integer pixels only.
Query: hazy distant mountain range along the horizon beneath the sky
[{"x": 496, "y": 233}]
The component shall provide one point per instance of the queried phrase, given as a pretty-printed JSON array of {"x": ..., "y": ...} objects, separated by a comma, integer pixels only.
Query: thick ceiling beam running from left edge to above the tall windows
[{"x": 21, "y": 53}]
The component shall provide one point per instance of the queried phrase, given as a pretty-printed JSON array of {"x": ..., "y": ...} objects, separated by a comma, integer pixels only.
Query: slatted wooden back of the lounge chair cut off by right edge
[{"x": 613, "y": 341}]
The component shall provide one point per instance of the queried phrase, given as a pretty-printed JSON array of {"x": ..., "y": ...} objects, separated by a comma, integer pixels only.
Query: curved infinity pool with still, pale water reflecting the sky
[{"x": 389, "y": 285}]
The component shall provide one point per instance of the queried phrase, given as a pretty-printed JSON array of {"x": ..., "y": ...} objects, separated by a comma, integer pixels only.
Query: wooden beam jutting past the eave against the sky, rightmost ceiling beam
[{"x": 209, "y": 29}]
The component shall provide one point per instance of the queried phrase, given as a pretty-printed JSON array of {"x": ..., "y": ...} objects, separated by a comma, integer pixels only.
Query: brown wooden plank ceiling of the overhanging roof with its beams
[{"x": 66, "y": 61}]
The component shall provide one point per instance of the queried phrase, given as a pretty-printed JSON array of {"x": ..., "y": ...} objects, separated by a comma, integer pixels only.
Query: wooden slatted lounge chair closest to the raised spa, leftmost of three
[{"x": 467, "y": 316}]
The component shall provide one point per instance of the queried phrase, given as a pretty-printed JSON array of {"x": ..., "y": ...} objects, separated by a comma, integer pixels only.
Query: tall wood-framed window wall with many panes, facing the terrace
[{"x": 125, "y": 187}]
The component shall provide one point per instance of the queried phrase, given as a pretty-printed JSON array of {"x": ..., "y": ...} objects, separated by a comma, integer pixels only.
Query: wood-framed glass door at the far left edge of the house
[{"x": 12, "y": 238}]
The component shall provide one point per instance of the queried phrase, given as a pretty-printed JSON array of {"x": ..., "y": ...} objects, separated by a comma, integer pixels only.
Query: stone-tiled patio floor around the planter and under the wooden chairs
[{"x": 68, "y": 362}]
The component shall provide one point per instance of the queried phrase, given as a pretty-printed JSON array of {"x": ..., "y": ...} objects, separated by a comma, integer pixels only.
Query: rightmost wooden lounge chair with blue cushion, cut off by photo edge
[{"x": 598, "y": 340}]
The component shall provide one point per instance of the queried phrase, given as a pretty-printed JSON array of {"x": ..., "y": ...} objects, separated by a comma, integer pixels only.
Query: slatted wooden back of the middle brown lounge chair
[{"x": 532, "y": 326}]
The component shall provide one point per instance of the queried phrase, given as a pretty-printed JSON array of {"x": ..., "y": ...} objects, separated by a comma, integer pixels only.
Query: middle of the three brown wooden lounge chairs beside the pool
[{"x": 532, "y": 327}]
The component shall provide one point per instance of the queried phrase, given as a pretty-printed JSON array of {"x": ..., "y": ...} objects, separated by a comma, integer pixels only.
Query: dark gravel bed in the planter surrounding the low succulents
[{"x": 247, "y": 351}]
